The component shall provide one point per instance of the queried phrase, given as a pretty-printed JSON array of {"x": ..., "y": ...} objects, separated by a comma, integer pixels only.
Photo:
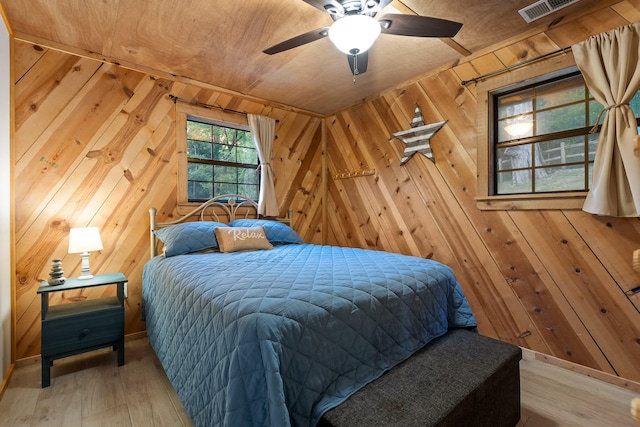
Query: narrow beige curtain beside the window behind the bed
[{"x": 263, "y": 131}]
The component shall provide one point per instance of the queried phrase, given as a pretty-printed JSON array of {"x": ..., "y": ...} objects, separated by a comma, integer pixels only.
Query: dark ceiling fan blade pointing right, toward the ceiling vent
[{"x": 418, "y": 26}]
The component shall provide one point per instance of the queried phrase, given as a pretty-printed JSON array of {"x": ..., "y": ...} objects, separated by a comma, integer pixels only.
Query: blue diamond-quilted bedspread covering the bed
[{"x": 278, "y": 337}]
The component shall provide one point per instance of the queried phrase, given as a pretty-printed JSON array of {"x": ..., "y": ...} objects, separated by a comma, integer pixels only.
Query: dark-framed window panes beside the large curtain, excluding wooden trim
[{"x": 541, "y": 137}]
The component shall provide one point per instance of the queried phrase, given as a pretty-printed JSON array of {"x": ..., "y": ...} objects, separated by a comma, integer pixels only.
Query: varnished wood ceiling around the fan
[{"x": 220, "y": 42}]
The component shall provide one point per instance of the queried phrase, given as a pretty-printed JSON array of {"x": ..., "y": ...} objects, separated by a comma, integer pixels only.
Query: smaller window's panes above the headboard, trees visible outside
[{"x": 220, "y": 160}]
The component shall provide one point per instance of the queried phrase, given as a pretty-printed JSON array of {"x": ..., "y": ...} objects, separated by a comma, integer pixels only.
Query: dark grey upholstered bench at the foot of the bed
[{"x": 459, "y": 379}]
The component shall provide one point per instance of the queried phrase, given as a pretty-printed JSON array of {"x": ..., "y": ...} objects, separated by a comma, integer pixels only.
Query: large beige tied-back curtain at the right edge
[{"x": 609, "y": 64}]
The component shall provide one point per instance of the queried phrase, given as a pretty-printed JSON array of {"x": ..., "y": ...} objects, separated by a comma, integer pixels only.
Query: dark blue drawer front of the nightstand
[{"x": 70, "y": 333}]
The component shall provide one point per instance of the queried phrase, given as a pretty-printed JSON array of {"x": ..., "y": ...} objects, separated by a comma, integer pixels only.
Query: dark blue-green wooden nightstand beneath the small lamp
[{"x": 77, "y": 327}]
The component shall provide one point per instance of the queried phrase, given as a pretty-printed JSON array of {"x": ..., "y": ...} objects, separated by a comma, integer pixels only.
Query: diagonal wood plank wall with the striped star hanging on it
[{"x": 554, "y": 281}]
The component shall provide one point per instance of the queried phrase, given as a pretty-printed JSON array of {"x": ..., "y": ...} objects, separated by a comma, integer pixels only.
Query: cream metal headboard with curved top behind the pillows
[{"x": 224, "y": 208}]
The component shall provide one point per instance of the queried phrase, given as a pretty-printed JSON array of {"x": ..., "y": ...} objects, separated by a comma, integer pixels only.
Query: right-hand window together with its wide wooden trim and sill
[{"x": 535, "y": 150}]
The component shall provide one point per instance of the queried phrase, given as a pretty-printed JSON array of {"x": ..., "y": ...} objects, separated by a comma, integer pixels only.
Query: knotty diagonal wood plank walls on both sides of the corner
[{"x": 95, "y": 145}]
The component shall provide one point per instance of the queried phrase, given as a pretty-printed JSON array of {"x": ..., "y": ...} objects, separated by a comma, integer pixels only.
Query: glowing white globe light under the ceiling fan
[{"x": 354, "y": 34}]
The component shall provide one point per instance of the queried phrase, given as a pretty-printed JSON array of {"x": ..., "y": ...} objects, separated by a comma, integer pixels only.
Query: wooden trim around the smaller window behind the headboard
[{"x": 208, "y": 115}]
